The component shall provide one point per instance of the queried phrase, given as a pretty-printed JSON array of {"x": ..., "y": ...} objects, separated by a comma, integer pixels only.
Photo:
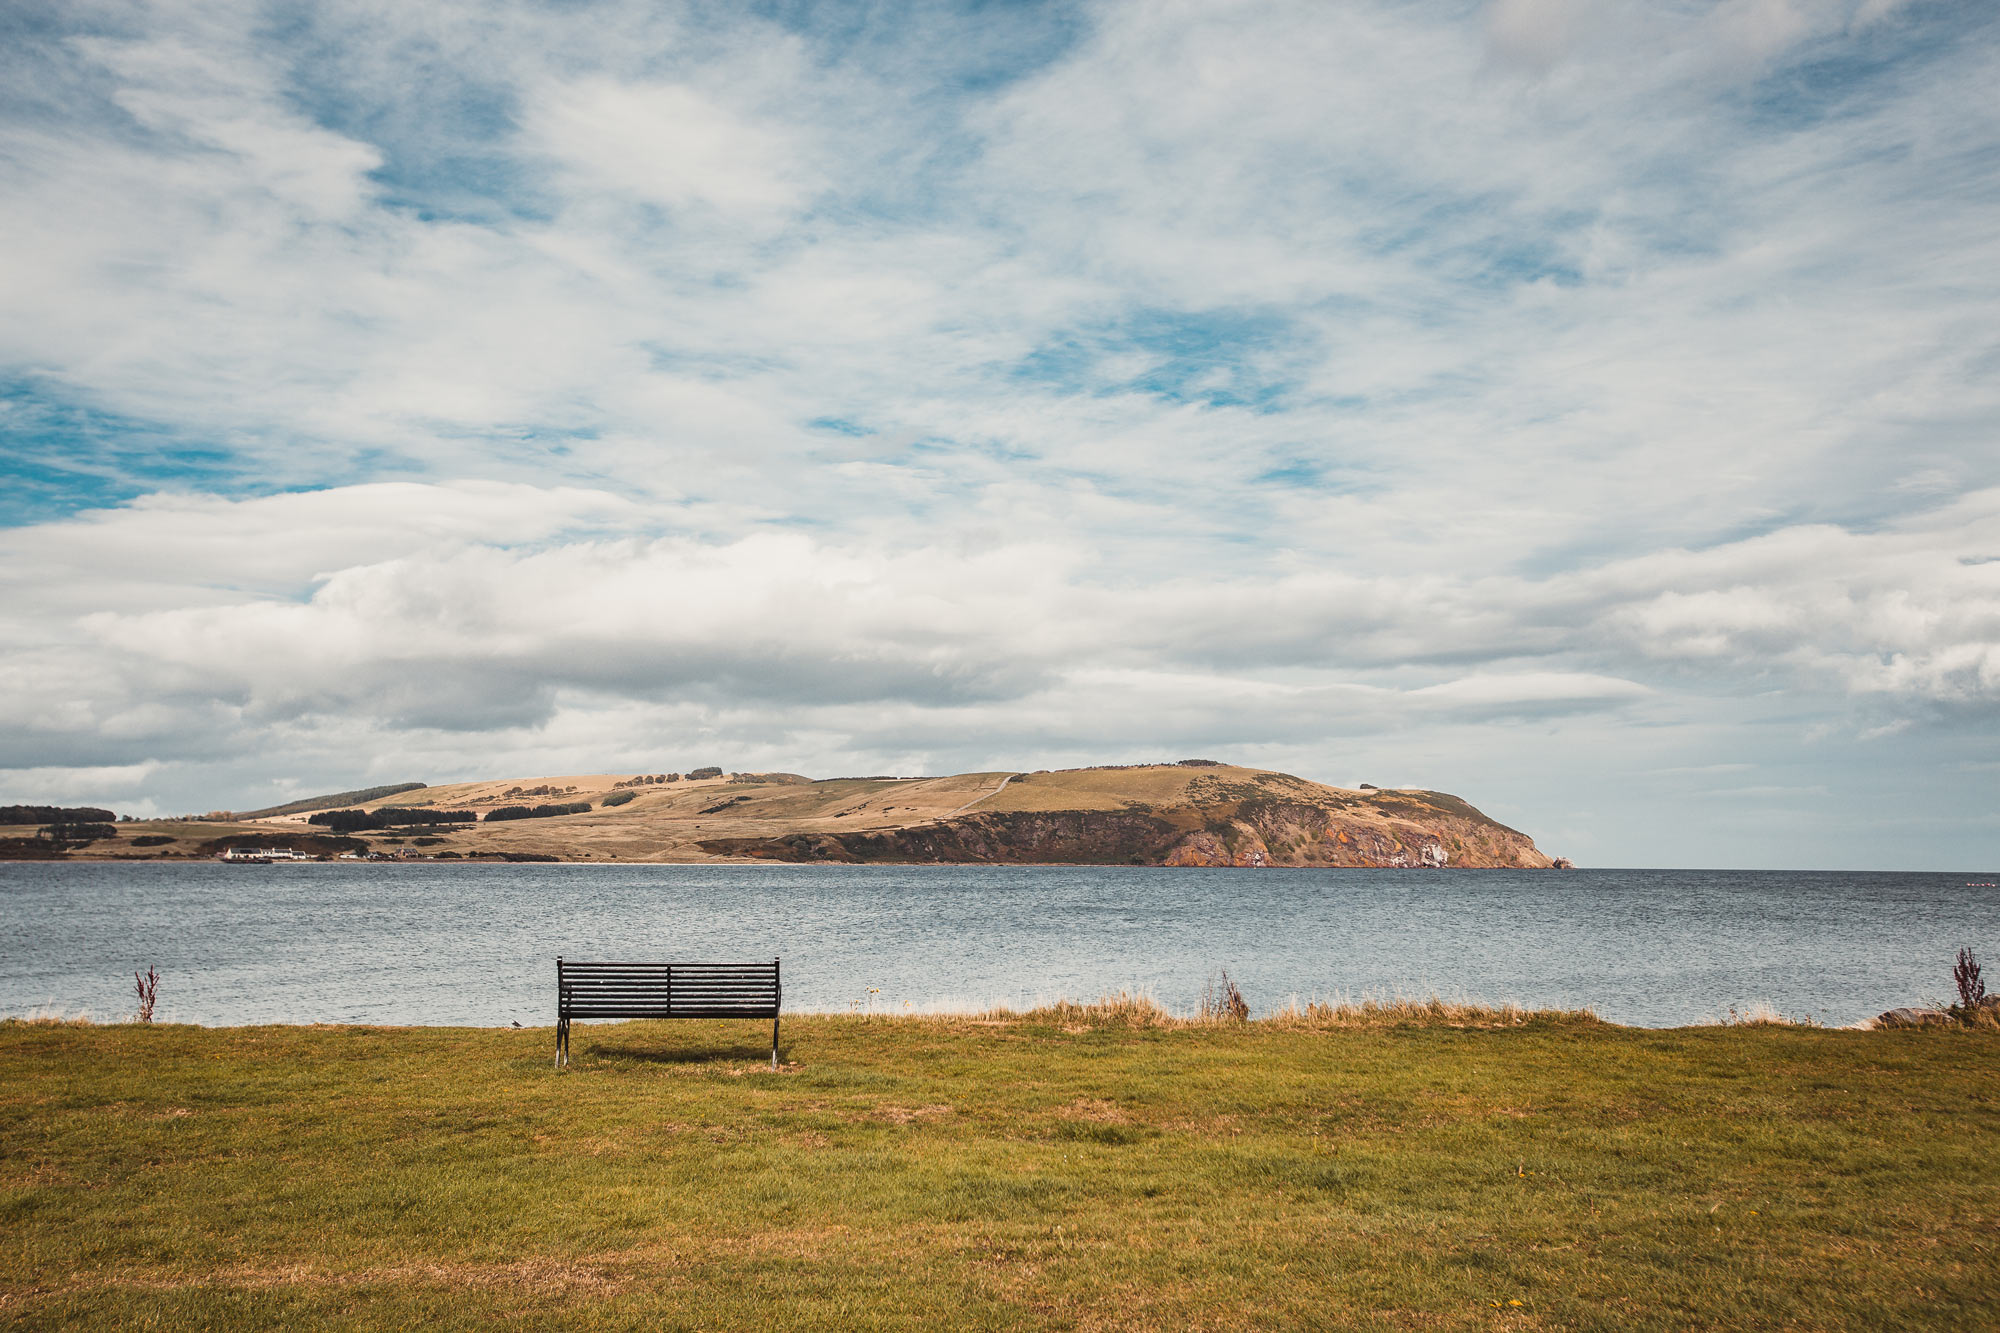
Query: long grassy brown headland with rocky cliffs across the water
[{"x": 1191, "y": 814}]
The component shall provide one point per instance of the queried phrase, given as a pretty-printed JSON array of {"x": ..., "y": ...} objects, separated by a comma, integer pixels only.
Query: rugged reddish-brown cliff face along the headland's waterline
[{"x": 1391, "y": 832}]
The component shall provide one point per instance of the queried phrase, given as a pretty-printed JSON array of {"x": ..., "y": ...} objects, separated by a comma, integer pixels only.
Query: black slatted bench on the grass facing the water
[{"x": 665, "y": 992}]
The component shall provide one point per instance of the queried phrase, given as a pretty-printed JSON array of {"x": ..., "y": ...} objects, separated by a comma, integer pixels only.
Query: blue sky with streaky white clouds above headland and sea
[{"x": 1587, "y": 407}]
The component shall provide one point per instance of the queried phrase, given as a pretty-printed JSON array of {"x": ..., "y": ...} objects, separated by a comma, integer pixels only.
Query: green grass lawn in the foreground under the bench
[{"x": 1077, "y": 1168}]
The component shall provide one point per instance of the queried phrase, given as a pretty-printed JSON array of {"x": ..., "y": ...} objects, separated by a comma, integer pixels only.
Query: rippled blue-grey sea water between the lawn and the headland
[{"x": 477, "y": 944}]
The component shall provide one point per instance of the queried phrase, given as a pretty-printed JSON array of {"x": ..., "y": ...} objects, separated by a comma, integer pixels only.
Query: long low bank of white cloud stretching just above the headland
[{"x": 427, "y": 621}]
